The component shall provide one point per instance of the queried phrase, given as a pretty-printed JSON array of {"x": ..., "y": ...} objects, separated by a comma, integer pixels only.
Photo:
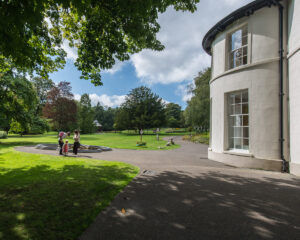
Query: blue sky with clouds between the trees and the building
[{"x": 167, "y": 73}]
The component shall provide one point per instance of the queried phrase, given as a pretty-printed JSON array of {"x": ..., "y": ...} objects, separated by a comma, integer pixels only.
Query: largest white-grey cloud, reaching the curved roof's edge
[{"x": 182, "y": 34}]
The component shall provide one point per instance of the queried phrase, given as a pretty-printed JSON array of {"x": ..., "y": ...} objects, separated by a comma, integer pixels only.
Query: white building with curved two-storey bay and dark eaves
[{"x": 255, "y": 86}]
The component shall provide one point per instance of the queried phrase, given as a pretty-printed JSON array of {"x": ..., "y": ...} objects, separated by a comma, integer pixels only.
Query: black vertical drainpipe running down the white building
[{"x": 285, "y": 164}]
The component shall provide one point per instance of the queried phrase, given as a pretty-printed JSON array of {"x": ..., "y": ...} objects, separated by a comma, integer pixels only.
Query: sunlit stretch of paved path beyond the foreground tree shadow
[{"x": 189, "y": 155}]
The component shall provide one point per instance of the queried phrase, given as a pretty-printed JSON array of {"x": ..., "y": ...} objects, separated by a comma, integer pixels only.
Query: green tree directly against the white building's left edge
[{"x": 197, "y": 111}]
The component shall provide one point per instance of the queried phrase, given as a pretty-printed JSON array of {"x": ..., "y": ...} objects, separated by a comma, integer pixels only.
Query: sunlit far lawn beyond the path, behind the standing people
[{"x": 113, "y": 140}]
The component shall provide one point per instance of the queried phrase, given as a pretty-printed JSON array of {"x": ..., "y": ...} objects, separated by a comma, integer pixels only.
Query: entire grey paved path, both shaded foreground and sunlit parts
[{"x": 179, "y": 194}]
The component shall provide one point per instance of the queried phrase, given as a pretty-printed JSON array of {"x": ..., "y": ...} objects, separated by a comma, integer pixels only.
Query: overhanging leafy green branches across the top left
[{"x": 32, "y": 32}]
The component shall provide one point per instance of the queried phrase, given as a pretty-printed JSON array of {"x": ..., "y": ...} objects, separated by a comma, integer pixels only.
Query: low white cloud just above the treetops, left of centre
[{"x": 104, "y": 100}]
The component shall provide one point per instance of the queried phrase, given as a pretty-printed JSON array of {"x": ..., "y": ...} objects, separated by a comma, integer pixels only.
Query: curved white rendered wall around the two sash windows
[{"x": 260, "y": 76}]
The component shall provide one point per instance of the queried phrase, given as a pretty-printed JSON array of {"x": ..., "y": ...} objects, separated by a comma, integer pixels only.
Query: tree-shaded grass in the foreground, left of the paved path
[{"x": 45, "y": 203}]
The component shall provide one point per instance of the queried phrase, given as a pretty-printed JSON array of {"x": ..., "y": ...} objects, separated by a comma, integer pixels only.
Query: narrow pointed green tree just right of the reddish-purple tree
[{"x": 86, "y": 113}]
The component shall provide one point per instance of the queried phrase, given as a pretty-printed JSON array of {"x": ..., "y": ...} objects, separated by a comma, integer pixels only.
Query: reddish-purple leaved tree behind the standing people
[{"x": 61, "y": 107}]
